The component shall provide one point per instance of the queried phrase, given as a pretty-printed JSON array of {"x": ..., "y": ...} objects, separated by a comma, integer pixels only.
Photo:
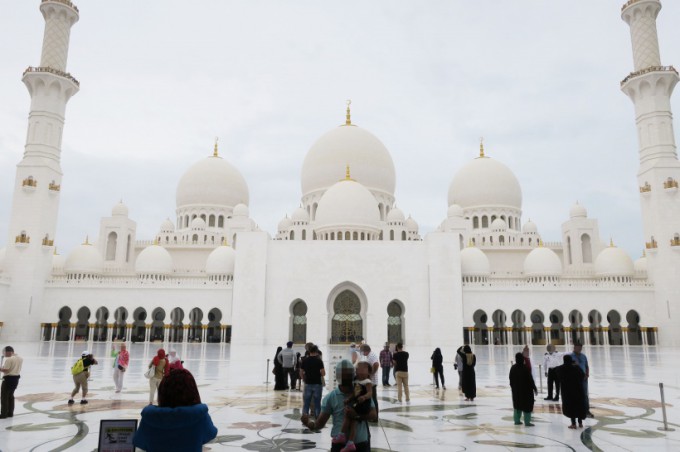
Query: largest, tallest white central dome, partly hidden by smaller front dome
[{"x": 369, "y": 159}]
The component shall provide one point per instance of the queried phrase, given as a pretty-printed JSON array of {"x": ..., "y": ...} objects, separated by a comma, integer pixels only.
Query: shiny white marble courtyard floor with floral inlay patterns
[{"x": 249, "y": 415}]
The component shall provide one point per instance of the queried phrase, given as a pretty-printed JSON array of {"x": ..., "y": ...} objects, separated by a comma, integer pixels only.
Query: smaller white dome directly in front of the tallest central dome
[{"x": 347, "y": 203}]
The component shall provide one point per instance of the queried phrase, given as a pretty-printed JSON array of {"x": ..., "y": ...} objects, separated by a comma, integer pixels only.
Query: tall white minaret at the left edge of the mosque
[{"x": 35, "y": 204}]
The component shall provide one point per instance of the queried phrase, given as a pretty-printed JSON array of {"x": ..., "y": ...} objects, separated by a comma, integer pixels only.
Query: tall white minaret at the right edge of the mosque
[{"x": 650, "y": 86}]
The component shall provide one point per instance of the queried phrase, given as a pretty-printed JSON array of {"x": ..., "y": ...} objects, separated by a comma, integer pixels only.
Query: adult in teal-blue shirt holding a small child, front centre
[{"x": 333, "y": 405}]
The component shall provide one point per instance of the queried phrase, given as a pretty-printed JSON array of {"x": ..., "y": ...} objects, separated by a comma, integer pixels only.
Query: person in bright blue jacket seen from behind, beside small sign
[{"x": 180, "y": 421}]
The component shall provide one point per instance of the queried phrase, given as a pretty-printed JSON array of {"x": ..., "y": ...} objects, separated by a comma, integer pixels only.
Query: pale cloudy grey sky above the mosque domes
[{"x": 539, "y": 80}]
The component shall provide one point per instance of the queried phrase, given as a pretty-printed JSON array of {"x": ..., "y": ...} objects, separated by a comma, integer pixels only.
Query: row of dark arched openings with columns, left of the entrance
[{"x": 137, "y": 327}]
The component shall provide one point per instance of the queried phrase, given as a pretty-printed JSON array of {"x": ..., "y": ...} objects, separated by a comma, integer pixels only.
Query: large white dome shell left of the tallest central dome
[{"x": 212, "y": 182}]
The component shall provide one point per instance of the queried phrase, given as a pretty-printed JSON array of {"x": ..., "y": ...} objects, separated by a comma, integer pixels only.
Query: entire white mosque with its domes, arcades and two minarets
[{"x": 347, "y": 264}]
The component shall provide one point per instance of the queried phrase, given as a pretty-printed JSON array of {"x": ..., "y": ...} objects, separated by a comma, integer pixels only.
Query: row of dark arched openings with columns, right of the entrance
[{"x": 558, "y": 329}]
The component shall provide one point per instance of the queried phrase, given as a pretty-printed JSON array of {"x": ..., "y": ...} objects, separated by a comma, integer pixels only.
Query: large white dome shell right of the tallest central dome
[{"x": 485, "y": 182}]
